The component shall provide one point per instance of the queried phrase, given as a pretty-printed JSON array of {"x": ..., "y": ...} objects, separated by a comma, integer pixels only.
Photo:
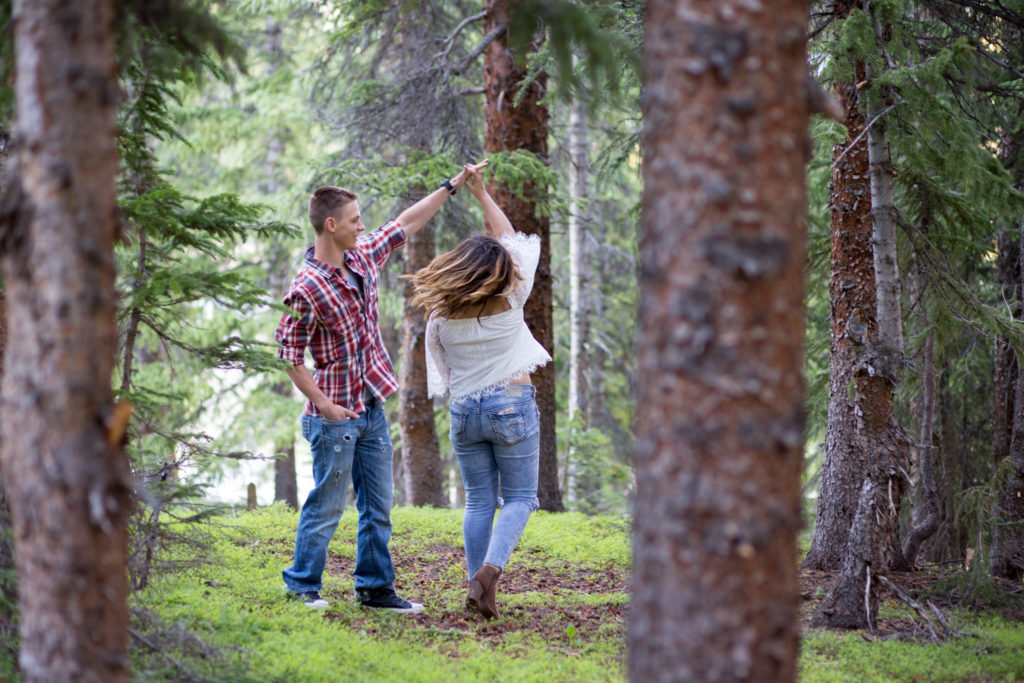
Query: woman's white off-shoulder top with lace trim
[{"x": 468, "y": 356}]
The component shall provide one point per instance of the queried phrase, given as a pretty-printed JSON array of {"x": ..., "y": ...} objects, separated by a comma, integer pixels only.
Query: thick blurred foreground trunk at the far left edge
[{"x": 67, "y": 485}]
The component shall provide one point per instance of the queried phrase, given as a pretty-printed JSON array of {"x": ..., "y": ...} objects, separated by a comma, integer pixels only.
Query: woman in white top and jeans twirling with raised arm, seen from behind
[{"x": 481, "y": 351}]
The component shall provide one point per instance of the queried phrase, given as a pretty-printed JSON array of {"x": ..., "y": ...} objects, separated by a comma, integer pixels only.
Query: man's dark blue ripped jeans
[{"x": 359, "y": 449}]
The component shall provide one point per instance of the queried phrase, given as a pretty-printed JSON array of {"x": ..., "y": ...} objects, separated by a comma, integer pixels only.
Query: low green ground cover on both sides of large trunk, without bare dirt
[{"x": 236, "y": 625}]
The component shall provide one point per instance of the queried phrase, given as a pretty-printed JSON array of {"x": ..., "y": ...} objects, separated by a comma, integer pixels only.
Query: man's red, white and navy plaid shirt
[{"x": 342, "y": 328}]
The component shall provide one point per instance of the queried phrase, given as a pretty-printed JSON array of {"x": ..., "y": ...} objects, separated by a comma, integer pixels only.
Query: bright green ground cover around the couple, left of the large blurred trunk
[{"x": 237, "y": 606}]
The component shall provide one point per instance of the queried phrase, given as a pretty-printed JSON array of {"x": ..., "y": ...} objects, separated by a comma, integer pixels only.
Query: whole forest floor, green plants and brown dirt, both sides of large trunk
[{"x": 564, "y": 601}]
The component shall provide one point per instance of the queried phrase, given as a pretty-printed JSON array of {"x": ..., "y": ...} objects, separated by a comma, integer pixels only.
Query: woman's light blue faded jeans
[{"x": 497, "y": 438}]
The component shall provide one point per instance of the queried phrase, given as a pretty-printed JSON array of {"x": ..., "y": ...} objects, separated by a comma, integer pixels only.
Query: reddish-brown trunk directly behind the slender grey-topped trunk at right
[{"x": 851, "y": 296}]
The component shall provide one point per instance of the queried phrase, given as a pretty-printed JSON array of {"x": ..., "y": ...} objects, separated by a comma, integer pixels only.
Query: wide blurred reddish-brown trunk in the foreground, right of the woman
[{"x": 720, "y": 379}]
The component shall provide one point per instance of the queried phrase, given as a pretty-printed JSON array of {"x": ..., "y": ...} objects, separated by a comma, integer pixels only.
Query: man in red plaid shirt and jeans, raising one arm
[{"x": 335, "y": 302}]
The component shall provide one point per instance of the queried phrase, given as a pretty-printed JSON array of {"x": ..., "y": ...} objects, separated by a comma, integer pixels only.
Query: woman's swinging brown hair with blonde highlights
[{"x": 464, "y": 280}]
